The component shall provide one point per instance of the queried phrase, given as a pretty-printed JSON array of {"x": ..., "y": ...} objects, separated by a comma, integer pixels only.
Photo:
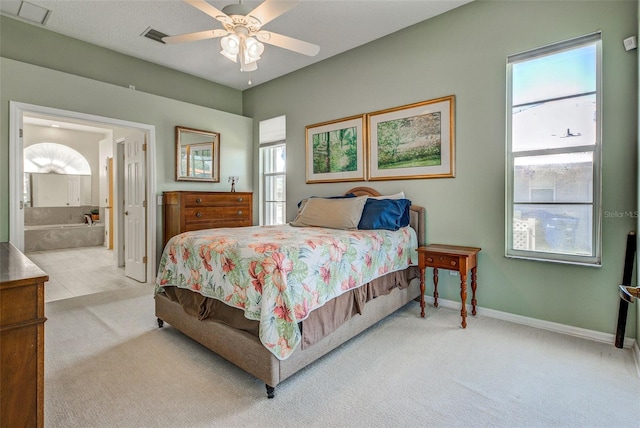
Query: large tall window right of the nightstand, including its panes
[{"x": 553, "y": 152}]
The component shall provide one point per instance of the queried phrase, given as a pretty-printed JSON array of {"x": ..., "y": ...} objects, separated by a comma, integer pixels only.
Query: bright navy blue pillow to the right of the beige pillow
[{"x": 389, "y": 214}]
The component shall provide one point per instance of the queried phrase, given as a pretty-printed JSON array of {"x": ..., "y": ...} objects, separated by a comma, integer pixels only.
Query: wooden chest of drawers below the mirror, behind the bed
[{"x": 185, "y": 211}]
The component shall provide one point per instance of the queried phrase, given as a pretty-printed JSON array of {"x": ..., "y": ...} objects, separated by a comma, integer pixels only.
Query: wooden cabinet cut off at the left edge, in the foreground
[{"x": 21, "y": 339}]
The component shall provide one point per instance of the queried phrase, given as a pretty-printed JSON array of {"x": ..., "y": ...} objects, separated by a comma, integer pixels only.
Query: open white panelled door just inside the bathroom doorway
[{"x": 135, "y": 250}]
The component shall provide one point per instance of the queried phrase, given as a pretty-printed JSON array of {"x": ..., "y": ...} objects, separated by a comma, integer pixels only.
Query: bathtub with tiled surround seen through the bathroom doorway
[{"x": 43, "y": 237}]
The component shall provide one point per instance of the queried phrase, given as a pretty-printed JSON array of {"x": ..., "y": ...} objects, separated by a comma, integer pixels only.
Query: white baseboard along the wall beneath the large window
[{"x": 545, "y": 325}]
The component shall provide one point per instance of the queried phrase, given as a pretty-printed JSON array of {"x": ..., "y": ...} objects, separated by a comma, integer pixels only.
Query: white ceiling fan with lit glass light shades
[{"x": 242, "y": 36}]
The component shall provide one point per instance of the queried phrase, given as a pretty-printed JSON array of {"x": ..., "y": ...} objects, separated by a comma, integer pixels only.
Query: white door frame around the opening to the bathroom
[{"x": 16, "y": 172}]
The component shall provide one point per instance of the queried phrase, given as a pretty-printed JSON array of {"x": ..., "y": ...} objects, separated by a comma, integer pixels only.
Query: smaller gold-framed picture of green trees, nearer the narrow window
[{"x": 335, "y": 150}]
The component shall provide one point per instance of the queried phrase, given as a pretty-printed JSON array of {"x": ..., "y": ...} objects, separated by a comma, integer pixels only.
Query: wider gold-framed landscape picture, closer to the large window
[{"x": 412, "y": 141}]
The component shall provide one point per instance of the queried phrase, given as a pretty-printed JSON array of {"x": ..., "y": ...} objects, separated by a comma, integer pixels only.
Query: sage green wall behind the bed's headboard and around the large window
[{"x": 463, "y": 53}]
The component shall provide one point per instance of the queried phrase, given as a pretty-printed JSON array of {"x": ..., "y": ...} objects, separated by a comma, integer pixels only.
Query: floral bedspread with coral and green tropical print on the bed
[{"x": 278, "y": 274}]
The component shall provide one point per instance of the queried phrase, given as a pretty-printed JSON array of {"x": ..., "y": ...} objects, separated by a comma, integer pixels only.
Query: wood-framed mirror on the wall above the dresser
[{"x": 197, "y": 155}]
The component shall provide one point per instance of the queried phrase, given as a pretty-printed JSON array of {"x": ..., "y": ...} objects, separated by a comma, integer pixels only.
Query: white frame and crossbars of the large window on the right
[{"x": 595, "y": 258}]
